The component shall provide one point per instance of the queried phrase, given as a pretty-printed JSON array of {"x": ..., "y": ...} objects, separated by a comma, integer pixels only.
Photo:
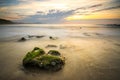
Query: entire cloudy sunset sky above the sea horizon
[{"x": 59, "y": 11}]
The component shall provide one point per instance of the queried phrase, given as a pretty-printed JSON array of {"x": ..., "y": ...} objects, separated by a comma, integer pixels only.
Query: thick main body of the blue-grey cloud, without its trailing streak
[{"x": 54, "y": 16}]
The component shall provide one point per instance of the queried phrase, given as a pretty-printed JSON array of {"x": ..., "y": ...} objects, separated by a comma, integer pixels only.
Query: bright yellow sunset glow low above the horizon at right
[{"x": 114, "y": 14}]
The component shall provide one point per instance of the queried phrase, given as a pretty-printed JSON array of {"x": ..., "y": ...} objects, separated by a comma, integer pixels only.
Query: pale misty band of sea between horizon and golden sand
[{"x": 21, "y": 30}]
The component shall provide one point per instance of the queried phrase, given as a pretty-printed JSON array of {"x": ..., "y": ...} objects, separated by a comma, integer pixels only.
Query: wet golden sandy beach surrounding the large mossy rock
[{"x": 90, "y": 55}]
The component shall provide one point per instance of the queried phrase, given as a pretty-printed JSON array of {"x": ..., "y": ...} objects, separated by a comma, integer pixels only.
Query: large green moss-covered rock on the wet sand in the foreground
[{"x": 38, "y": 59}]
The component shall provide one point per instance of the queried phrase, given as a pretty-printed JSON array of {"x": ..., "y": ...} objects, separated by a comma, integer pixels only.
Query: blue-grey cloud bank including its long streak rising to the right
[{"x": 54, "y": 16}]
